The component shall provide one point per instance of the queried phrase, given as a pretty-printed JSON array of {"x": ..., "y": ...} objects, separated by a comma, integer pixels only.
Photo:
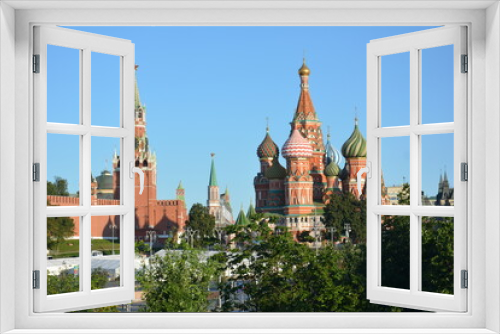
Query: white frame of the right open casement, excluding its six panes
[{"x": 414, "y": 43}]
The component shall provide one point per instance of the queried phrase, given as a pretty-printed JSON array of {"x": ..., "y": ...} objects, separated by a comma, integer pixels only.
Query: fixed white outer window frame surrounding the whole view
[{"x": 483, "y": 21}]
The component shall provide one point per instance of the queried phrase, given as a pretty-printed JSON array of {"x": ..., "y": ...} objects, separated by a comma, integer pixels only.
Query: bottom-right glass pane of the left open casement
[{"x": 105, "y": 252}]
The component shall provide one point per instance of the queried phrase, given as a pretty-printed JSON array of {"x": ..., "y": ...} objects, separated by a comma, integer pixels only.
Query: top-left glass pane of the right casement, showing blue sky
[{"x": 395, "y": 89}]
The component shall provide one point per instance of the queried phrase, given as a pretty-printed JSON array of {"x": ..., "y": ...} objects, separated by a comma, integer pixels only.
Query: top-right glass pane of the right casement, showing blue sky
[{"x": 437, "y": 84}]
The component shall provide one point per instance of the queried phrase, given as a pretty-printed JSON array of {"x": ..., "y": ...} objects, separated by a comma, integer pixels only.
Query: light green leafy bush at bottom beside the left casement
[{"x": 178, "y": 282}]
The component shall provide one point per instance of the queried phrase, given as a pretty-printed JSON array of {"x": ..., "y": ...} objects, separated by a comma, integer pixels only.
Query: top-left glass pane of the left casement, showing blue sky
[{"x": 63, "y": 85}]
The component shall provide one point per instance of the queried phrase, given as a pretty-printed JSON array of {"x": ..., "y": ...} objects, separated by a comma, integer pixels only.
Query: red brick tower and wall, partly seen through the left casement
[{"x": 166, "y": 217}]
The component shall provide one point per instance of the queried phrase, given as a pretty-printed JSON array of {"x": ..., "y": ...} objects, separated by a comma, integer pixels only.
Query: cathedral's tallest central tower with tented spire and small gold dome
[{"x": 307, "y": 123}]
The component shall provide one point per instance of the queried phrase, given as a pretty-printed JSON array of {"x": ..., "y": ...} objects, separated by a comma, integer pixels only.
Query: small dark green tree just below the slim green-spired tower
[{"x": 203, "y": 222}]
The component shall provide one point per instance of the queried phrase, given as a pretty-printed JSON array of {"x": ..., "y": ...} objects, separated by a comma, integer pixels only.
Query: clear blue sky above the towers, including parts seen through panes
[{"x": 210, "y": 89}]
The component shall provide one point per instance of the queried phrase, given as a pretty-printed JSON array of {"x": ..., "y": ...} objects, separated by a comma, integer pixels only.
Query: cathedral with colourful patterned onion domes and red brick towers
[{"x": 300, "y": 191}]
